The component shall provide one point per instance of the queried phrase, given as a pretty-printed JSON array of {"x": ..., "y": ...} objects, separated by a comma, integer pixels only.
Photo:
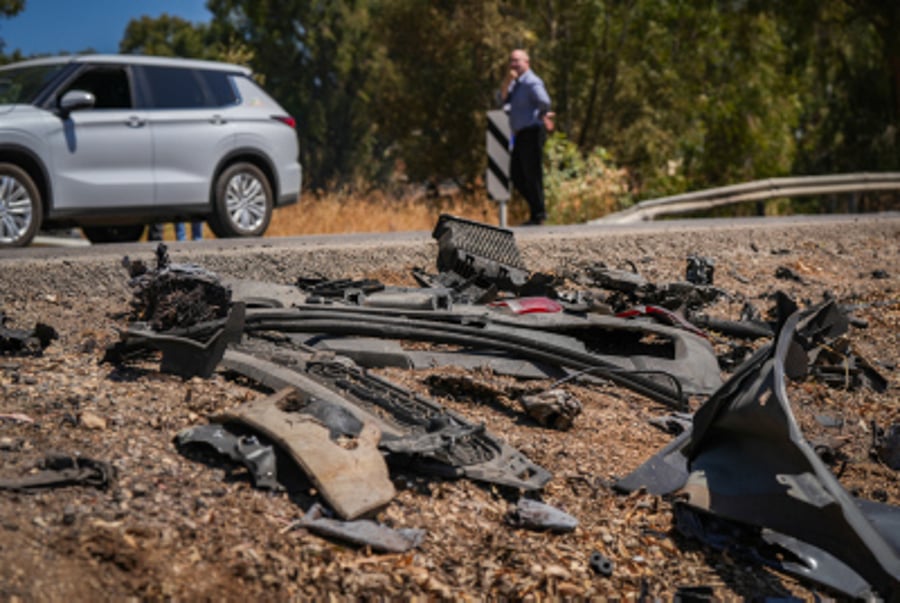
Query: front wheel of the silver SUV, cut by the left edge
[{"x": 21, "y": 211}]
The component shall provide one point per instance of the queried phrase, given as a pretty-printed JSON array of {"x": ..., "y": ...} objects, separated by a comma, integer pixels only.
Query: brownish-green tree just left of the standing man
[{"x": 444, "y": 63}]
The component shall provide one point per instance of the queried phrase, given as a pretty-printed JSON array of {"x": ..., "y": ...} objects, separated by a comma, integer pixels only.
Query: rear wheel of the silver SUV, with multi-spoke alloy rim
[{"x": 243, "y": 202}]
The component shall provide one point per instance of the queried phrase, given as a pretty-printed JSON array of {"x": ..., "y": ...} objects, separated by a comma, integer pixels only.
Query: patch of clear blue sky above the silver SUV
[{"x": 55, "y": 26}]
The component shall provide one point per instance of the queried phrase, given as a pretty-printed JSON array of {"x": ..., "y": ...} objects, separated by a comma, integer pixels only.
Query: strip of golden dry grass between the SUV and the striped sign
[{"x": 340, "y": 212}]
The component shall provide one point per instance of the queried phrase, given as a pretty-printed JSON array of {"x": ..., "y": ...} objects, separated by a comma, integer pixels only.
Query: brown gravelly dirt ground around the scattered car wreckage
[{"x": 173, "y": 528}]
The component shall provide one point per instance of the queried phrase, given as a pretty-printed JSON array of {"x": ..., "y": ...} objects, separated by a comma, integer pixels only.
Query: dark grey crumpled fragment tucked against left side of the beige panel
[{"x": 258, "y": 458}]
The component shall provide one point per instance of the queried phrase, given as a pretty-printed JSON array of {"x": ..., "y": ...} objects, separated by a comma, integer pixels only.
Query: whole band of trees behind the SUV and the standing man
[{"x": 679, "y": 95}]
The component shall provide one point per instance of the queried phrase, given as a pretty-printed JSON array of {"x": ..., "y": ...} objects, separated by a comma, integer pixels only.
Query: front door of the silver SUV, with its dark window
[{"x": 102, "y": 157}]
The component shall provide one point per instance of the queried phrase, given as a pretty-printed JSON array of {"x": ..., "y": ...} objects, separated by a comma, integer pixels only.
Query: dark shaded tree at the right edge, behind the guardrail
[{"x": 848, "y": 55}]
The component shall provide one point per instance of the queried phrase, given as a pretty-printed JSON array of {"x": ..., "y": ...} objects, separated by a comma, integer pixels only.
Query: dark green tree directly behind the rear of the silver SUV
[{"x": 317, "y": 58}]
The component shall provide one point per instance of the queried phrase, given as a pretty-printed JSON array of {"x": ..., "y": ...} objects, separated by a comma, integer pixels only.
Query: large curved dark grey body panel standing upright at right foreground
[{"x": 783, "y": 486}]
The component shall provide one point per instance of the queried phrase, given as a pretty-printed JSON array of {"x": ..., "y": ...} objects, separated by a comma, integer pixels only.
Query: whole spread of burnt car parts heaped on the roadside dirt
[{"x": 740, "y": 474}]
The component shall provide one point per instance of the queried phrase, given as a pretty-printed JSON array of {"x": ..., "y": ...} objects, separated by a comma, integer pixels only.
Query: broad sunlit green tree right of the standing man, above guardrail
[{"x": 686, "y": 95}]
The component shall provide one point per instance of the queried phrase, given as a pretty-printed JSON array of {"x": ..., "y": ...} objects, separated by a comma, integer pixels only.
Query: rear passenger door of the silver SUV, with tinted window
[{"x": 190, "y": 133}]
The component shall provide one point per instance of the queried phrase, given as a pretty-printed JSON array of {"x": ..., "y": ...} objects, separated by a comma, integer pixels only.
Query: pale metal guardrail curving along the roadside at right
[{"x": 758, "y": 190}]
